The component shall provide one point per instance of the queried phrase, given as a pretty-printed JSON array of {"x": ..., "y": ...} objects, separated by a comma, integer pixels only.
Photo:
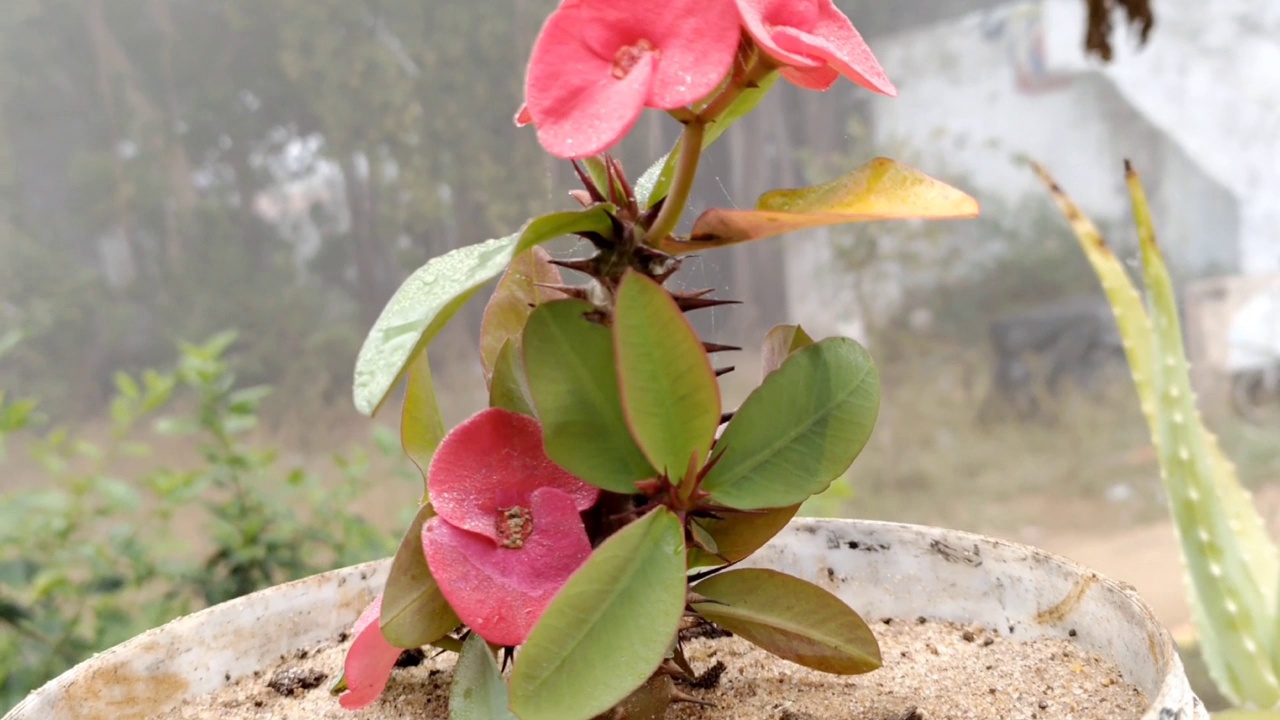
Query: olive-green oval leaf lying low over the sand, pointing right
[{"x": 790, "y": 618}]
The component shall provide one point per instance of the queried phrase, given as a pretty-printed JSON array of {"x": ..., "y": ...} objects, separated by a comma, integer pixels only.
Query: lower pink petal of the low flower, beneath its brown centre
[{"x": 501, "y": 593}]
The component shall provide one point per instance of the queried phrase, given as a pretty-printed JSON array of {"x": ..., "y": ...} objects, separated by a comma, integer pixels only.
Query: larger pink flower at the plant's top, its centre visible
[{"x": 598, "y": 63}]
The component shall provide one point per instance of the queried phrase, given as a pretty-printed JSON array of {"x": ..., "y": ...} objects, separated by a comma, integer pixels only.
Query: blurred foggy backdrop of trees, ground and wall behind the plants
[{"x": 172, "y": 170}]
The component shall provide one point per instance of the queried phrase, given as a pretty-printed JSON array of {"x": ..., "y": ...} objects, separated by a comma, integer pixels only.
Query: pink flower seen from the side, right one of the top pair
[{"x": 815, "y": 43}]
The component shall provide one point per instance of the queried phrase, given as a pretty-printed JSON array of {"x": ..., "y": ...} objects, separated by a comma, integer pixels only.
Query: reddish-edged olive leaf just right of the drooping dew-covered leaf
[{"x": 515, "y": 298}]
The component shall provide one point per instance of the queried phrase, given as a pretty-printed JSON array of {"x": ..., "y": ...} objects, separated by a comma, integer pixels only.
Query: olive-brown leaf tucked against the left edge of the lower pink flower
[{"x": 414, "y": 610}]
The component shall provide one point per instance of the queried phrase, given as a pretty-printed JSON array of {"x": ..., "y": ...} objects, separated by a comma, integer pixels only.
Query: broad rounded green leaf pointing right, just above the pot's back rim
[{"x": 799, "y": 431}]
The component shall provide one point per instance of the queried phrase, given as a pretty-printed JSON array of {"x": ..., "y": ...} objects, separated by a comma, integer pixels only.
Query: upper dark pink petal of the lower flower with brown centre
[{"x": 492, "y": 462}]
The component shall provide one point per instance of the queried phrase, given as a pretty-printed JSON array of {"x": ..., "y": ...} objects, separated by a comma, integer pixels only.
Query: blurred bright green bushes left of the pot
[{"x": 89, "y": 559}]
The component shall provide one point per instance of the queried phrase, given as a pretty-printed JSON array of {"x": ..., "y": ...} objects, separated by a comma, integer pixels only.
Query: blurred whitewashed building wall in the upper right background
[{"x": 981, "y": 94}]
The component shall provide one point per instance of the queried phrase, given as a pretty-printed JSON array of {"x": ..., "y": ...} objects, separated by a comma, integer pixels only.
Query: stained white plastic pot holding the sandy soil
[{"x": 881, "y": 569}]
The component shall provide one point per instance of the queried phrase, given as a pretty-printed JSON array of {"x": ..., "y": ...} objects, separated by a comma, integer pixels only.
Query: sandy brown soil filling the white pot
[{"x": 932, "y": 672}]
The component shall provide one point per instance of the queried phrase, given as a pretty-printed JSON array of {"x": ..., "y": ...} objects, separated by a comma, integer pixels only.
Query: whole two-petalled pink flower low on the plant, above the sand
[{"x": 509, "y": 530}]
